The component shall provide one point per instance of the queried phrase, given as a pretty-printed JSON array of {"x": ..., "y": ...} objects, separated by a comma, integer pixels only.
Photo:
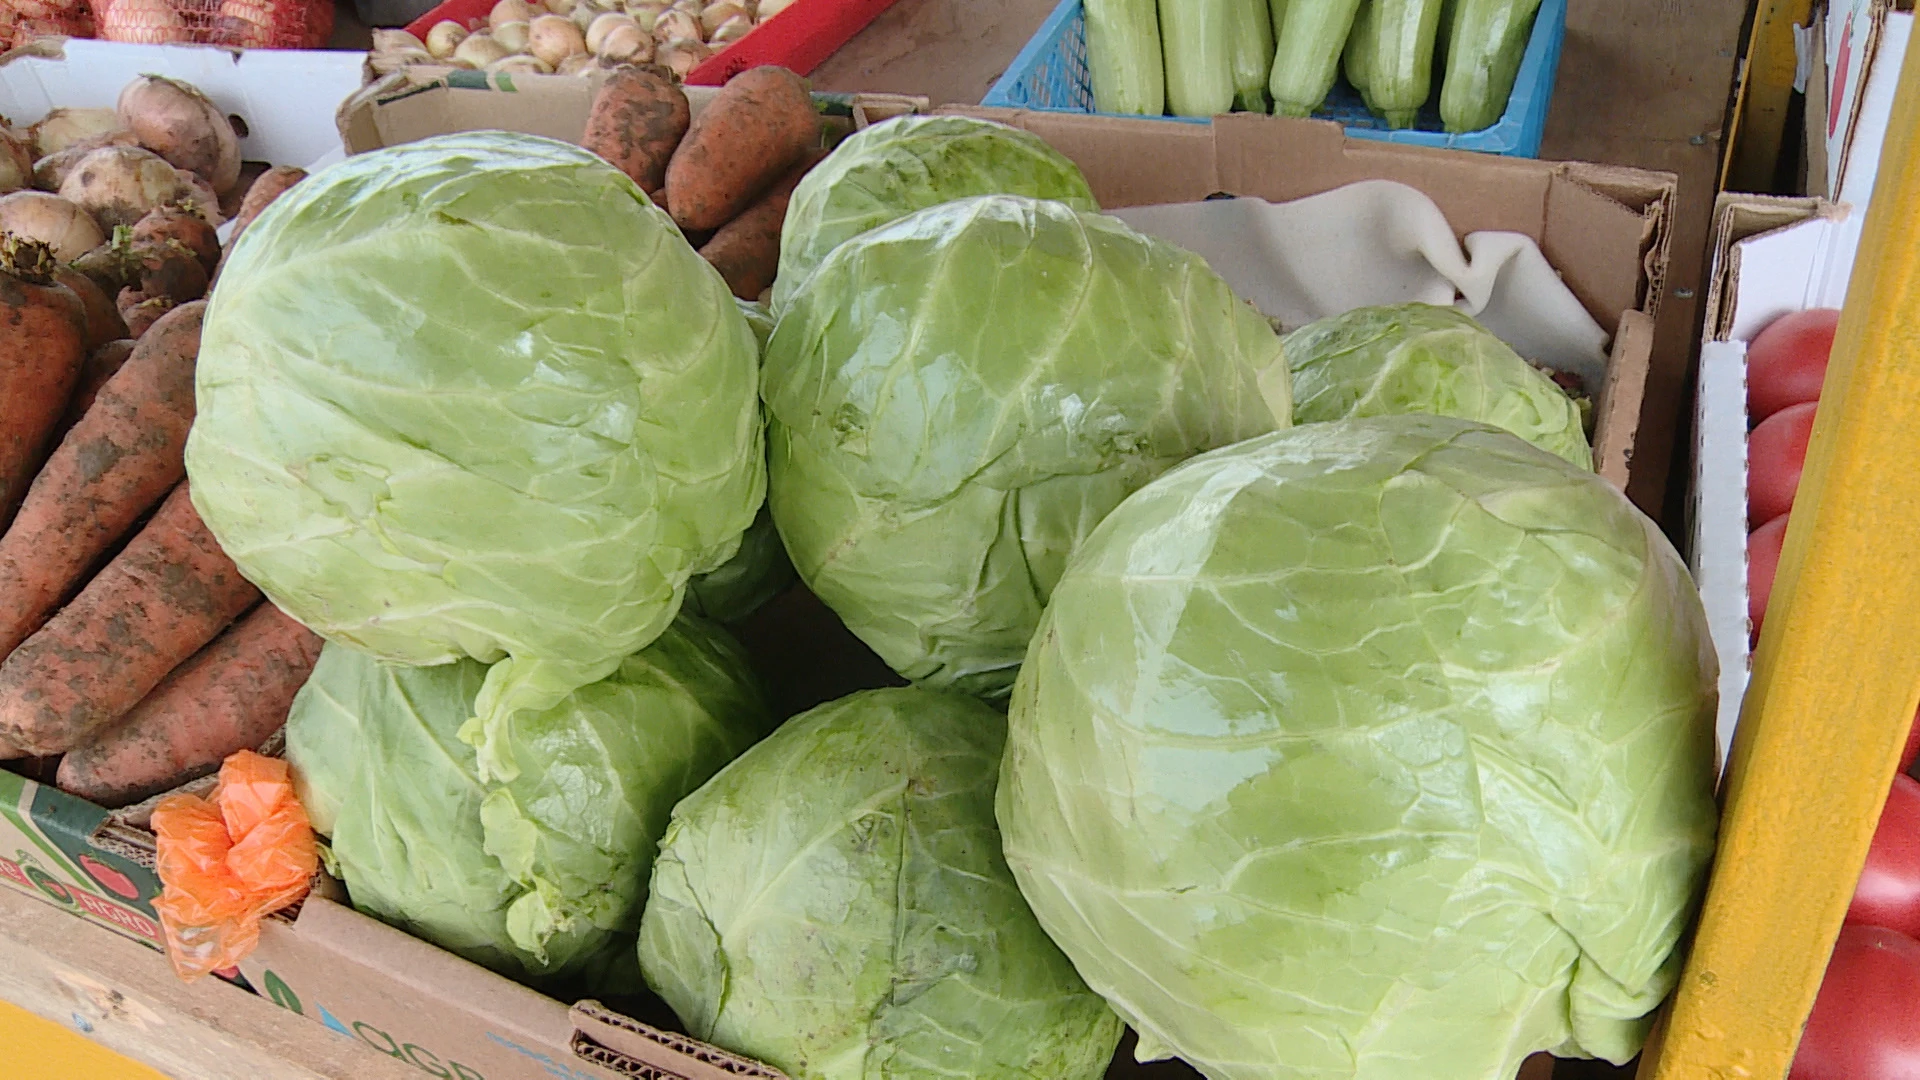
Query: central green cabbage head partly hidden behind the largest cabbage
[{"x": 957, "y": 399}]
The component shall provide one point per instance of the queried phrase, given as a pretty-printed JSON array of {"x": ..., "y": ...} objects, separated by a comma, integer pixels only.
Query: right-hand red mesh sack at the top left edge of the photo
[{"x": 235, "y": 24}]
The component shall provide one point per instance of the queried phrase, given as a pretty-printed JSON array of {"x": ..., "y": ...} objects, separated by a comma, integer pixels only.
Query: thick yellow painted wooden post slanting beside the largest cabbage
[{"x": 1836, "y": 677}]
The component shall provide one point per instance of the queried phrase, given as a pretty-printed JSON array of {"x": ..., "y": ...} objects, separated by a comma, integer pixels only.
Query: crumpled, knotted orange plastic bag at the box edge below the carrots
[{"x": 229, "y": 862}]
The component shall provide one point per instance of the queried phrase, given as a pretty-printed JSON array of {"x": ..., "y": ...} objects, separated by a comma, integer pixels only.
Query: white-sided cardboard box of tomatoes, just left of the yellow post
[{"x": 1771, "y": 257}]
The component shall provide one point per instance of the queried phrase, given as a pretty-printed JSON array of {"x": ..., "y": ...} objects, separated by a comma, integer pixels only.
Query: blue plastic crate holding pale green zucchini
[{"x": 1051, "y": 76}]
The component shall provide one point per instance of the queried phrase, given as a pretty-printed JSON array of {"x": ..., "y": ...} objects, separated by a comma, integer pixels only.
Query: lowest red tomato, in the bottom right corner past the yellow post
[{"x": 1863, "y": 1023}]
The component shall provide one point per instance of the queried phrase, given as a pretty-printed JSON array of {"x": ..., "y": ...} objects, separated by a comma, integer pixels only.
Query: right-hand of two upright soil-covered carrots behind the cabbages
[{"x": 757, "y": 130}]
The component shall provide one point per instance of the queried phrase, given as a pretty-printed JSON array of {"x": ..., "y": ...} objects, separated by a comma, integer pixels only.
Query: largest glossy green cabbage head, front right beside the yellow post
[{"x": 1366, "y": 745}]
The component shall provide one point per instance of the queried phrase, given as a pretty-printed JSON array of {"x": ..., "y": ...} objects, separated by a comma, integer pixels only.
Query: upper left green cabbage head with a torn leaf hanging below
[{"x": 475, "y": 397}]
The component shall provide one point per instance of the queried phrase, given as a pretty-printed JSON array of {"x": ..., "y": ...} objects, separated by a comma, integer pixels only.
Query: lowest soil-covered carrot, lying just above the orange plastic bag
[{"x": 231, "y": 697}]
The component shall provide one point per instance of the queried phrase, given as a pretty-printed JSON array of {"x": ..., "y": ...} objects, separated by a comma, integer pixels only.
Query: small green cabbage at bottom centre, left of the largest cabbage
[{"x": 836, "y": 904}]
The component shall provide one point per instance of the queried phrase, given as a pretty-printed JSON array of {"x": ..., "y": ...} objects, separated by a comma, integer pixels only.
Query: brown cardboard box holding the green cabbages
[{"x": 1606, "y": 230}]
